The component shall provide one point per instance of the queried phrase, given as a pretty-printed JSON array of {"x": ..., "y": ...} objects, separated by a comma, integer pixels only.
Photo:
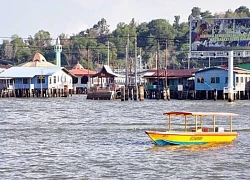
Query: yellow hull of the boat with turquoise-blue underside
[{"x": 190, "y": 138}]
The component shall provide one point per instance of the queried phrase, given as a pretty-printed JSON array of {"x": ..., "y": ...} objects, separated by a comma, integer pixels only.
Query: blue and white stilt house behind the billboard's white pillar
[{"x": 212, "y": 83}]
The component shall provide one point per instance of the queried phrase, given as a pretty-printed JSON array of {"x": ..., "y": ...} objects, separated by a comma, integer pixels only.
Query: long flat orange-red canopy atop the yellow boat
[{"x": 186, "y": 113}]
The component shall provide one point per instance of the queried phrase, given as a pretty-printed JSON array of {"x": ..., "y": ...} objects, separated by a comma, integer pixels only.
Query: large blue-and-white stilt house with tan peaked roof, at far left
[{"x": 37, "y": 78}]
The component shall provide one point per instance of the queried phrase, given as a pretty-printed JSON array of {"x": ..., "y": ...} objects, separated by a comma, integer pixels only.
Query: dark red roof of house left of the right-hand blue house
[{"x": 171, "y": 73}]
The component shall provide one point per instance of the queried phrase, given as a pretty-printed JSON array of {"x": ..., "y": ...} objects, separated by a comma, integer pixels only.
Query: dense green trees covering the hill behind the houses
[{"x": 171, "y": 41}]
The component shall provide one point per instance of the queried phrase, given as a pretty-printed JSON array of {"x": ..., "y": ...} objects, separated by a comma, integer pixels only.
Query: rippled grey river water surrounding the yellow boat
[{"x": 75, "y": 138}]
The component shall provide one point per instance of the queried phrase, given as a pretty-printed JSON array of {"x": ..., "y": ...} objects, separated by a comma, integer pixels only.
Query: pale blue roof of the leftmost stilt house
[{"x": 28, "y": 72}]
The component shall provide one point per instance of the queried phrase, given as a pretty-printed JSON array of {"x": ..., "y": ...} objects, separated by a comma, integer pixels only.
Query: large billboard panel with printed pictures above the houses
[{"x": 220, "y": 34}]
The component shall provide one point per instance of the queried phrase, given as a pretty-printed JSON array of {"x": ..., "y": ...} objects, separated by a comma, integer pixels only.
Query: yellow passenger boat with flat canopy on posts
[{"x": 200, "y": 134}]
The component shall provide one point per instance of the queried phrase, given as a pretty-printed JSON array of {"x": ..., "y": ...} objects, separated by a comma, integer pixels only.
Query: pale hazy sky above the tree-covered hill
[{"x": 27, "y": 17}]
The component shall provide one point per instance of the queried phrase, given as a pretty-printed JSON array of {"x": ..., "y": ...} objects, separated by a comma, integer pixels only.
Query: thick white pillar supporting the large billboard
[{"x": 230, "y": 77}]
